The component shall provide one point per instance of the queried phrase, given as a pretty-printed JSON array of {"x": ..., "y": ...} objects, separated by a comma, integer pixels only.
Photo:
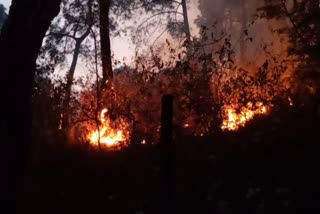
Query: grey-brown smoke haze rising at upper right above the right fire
[{"x": 253, "y": 39}]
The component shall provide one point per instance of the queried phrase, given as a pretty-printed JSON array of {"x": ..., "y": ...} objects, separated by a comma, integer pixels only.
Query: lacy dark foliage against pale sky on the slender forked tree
[{"x": 72, "y": 22}]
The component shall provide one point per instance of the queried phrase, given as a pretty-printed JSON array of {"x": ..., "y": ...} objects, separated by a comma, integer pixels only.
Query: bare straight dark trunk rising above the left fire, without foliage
[{"x": 107, "y": 74}]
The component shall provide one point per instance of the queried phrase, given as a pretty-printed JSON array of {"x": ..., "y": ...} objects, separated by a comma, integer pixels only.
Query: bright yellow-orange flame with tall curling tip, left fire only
[{"x": 107, "y": 135}]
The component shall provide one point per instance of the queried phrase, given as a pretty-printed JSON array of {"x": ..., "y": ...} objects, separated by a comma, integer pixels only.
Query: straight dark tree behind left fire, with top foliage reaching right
[{"x": 124, "y": 9}]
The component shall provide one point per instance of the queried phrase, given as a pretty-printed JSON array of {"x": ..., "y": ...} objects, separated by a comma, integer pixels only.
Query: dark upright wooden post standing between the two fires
[{"x": 166, "y": 149}]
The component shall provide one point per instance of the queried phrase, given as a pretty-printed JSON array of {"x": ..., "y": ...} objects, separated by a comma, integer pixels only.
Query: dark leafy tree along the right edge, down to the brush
[{"x": 304, "y": 37}]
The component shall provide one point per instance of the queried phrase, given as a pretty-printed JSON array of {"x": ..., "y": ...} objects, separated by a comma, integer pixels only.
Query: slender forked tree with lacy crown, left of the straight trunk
[{"x": 70, "y": 34}]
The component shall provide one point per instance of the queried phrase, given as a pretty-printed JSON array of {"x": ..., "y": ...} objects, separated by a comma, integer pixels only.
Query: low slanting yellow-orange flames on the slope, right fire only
[{"x": 233, "y": 121}]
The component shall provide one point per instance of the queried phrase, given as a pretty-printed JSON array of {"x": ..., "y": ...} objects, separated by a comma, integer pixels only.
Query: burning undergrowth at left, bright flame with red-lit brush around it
[{"x": 108, "y": 127}]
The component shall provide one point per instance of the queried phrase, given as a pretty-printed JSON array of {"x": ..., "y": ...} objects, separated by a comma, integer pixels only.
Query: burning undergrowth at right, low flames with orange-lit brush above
[{"x": 245, "y": 93}]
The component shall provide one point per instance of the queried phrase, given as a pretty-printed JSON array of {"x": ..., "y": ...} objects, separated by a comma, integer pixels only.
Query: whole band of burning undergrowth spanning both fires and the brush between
[{"x": 212, "y": 89}]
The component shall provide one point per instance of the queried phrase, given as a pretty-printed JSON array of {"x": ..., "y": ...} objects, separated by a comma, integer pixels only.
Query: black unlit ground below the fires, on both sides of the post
[{"x": 271, "y": 166}]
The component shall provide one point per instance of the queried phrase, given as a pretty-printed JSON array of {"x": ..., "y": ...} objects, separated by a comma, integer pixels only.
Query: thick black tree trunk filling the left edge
[{"x": 20, "y": 41}]
